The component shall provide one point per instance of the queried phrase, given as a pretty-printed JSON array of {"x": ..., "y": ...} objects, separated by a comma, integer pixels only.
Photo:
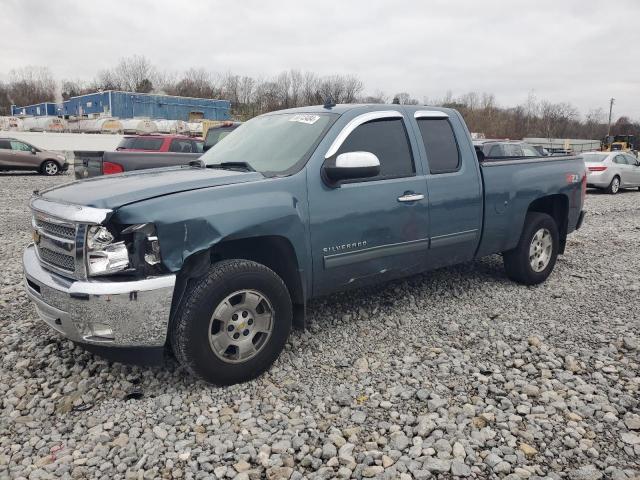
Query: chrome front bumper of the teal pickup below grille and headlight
[{"x": 101, "y": 312}]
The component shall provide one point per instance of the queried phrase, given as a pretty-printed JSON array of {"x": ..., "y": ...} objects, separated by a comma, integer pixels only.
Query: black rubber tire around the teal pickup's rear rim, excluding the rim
[{"x": 517, "y": 262}]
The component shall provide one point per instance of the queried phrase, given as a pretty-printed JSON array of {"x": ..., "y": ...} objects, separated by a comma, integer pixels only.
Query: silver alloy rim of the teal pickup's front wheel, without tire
[{"x": 240, "y": 326}]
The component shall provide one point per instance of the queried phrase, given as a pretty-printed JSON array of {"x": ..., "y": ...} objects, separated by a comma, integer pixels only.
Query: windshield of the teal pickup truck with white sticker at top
[{"x": 272, "y": 144}]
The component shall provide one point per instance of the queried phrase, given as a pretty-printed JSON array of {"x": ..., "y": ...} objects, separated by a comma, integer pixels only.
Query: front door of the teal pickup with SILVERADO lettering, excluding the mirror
[{"x": 374, "y": 228}]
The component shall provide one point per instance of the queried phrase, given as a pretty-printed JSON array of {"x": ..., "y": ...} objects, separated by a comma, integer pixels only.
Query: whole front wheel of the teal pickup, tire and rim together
[{"x": 233, "y": 322}]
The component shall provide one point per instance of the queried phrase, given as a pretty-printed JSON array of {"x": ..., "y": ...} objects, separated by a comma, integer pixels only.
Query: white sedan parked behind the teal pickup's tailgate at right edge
[{"x": 612, "y": 171}]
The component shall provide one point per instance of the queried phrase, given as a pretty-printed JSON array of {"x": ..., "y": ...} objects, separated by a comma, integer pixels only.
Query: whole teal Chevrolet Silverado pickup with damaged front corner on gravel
[{"x": 217, "y": 260}]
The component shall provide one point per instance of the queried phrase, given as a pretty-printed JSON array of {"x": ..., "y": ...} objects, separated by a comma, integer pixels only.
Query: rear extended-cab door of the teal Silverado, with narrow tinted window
[{"x": 453, "y": 183}]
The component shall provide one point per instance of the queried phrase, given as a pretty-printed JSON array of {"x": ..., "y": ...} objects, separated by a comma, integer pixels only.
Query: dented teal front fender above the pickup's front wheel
[{"x": 196, "y": 220}]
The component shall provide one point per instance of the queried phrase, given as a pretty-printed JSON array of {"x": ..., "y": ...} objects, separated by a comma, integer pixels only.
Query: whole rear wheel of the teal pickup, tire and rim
[{"x": 533, "y": 259}]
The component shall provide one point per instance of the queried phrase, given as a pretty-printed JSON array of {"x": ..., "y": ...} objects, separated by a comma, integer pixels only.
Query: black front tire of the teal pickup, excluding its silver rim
[{"x": 190, "y": 329}]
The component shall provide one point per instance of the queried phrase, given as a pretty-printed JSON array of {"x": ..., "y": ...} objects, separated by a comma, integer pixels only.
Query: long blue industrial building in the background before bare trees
[{"x": 118, "y": 104}]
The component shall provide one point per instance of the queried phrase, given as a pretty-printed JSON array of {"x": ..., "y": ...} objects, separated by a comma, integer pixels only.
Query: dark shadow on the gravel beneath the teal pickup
[{"x": 464, "y": 278}]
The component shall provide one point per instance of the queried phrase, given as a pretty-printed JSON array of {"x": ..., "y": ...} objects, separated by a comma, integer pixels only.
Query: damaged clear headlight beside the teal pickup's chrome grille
[{"x": 104, "y": 256}]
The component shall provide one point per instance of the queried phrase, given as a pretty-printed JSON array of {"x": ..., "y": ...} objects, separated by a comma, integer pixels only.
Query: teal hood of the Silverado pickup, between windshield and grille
[{"x": 113, "y": 191}]
